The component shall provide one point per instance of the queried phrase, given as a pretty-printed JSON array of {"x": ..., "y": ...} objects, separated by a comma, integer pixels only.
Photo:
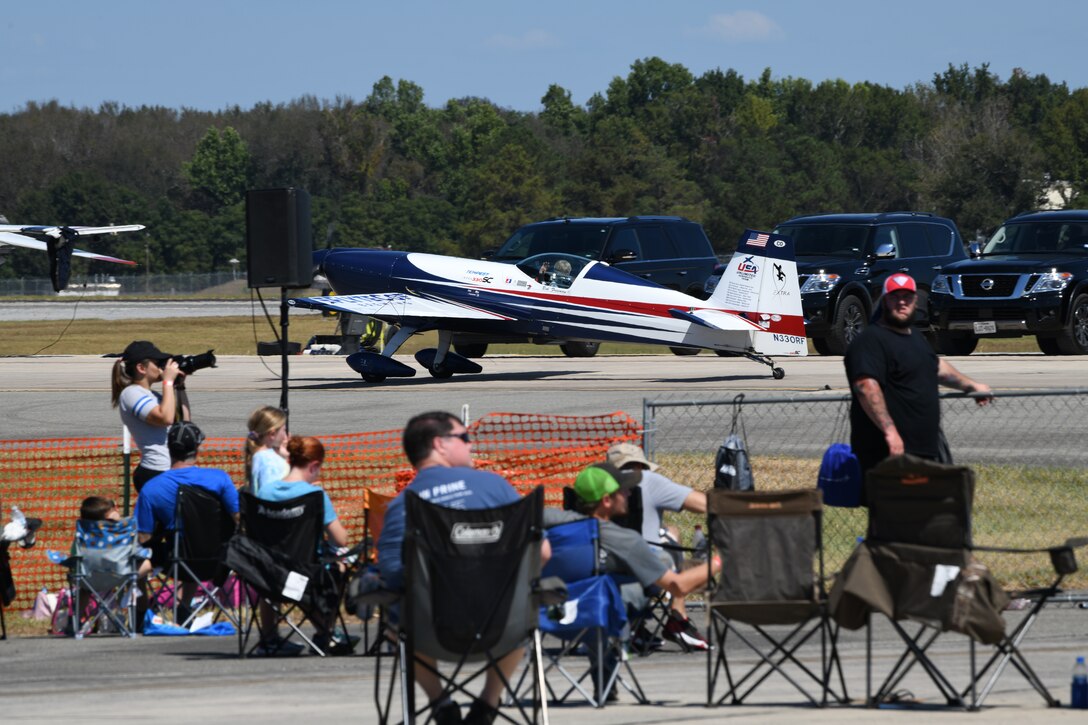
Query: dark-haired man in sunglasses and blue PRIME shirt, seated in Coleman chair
[{"x": 439, "y": 447}]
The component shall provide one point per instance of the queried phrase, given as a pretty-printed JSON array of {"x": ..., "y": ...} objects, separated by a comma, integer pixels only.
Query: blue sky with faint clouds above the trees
[{"x": 204, "y": 55}]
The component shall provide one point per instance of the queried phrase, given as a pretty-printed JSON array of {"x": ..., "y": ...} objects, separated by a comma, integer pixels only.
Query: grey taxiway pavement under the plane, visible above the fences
[{"x": 69, "y": 396}]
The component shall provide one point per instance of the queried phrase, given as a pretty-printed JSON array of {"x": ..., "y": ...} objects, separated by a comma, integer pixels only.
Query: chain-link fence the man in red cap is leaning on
[{"x": 1028, "y": 450}]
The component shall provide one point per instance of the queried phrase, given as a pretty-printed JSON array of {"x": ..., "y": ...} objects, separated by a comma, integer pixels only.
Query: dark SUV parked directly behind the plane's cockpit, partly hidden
[{"x": 670, "y": 251}]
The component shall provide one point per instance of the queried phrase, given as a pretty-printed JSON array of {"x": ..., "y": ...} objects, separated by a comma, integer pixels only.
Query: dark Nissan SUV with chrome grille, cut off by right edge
[{"x": 1031, "y": 278}]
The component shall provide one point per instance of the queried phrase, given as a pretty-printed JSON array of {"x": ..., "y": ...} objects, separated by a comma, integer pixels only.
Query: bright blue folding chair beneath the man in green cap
[{"x": 594, "y": 617}]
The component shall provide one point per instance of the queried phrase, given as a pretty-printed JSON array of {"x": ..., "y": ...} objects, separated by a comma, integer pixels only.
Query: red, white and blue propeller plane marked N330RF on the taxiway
[{"x": 755, "y": 313}]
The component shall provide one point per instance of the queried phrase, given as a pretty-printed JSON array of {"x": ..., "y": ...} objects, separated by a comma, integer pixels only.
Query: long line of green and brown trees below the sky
[{"x": 392, "y": 171}]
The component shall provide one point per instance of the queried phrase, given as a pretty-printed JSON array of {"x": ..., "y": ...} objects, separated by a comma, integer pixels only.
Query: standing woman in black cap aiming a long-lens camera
[{"x": 145, "y": 413}]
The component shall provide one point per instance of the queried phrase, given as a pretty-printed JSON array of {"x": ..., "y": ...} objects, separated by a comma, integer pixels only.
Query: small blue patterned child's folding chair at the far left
[{"x": 104, "y": 566}]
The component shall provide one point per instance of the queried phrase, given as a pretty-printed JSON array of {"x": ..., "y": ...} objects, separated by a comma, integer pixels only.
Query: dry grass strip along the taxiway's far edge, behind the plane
[{"x": 239, "y": 336}]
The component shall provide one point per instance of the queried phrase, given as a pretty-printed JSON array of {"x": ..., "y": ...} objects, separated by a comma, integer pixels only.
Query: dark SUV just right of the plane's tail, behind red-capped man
[{"x": 844, "y": 261}]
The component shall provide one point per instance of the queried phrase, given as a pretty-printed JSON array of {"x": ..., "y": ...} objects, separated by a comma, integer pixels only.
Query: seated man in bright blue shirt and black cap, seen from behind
[{"x": 158, "y": 499}]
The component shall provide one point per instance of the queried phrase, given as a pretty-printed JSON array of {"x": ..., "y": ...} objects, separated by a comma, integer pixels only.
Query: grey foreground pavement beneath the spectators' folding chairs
[{"x": 201, "y": 680}]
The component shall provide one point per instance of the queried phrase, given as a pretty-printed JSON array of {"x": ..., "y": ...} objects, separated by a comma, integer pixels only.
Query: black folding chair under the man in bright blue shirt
[{"x": 197, "y": 549}]
